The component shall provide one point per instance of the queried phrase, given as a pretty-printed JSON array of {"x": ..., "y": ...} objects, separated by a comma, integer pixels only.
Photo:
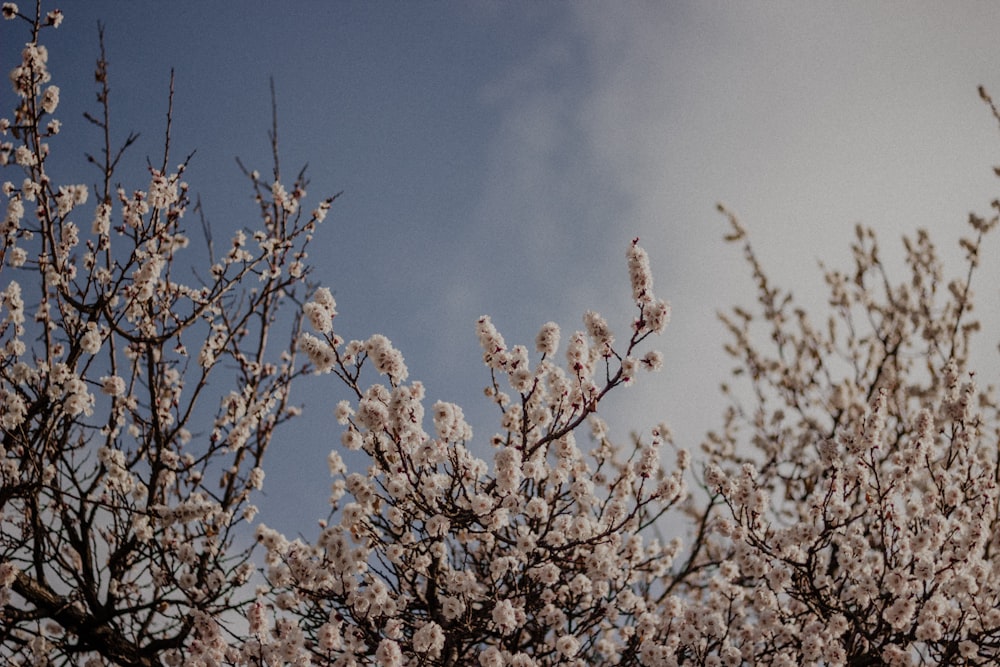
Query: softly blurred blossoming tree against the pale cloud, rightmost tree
[{"x": 858, "y": 484}]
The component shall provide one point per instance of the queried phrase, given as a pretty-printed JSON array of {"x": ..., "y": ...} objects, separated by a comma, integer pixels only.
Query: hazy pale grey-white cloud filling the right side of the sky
[{"x": 636, "y": 118}]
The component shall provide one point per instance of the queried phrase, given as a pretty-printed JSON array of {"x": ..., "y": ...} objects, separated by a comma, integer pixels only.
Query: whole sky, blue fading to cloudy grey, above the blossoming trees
[{"x": 498, "y": 157}]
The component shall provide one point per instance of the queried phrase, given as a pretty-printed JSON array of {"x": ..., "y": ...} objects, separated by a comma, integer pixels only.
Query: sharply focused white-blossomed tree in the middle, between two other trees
[{"x": 435, "y": 554}]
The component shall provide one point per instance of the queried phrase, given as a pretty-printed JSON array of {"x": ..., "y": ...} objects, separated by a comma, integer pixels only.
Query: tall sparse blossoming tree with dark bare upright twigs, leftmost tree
[{"x": 119, "y": 513}]
